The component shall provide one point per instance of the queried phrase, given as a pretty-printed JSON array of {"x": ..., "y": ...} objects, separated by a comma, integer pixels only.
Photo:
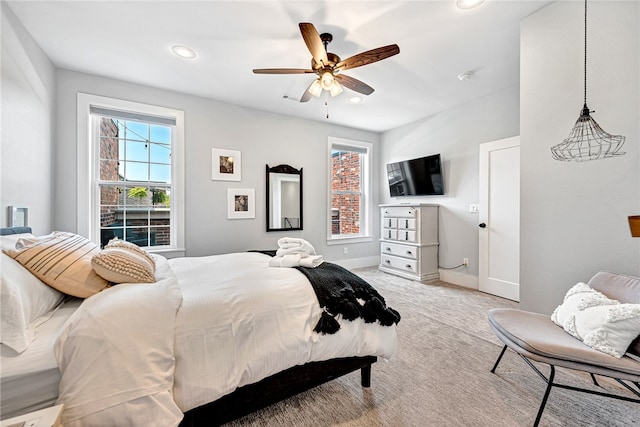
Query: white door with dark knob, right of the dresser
[{"x": 499, "y": 218}]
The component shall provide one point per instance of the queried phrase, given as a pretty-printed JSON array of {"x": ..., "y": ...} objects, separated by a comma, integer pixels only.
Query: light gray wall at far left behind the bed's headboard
[{"x": 27, "y": 143}]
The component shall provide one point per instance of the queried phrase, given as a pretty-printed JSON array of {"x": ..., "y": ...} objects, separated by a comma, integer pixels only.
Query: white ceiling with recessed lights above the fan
[{"x": 132, "y": 40}]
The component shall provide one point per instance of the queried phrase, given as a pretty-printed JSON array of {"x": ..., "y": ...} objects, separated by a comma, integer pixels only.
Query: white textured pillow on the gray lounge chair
[{"x": 601, "y": 323}]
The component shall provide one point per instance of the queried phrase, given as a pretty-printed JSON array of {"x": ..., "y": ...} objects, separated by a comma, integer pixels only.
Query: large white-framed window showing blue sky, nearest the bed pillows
[{"x": 134, "y": 175}]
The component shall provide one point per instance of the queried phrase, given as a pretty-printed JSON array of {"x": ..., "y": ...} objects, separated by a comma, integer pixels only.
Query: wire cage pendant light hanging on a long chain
[{"x": 587, "y": 140}]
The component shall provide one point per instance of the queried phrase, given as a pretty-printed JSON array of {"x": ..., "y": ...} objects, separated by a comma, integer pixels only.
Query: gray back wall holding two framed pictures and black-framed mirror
[{"x": 262, "y": 137}]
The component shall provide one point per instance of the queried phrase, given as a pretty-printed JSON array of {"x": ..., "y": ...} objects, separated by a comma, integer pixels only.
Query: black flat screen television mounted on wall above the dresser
[{"x": 416, "y": 177}]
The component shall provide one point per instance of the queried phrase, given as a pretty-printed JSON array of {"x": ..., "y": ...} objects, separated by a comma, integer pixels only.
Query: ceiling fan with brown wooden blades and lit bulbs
[{"x": 329, "y": 67}]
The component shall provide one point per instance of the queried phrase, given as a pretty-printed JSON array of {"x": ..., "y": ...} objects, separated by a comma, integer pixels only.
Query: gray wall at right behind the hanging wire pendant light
[{"x": 574, "y": 215}]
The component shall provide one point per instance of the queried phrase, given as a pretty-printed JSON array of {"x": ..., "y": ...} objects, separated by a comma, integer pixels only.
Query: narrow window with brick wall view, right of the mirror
[{"x": 349, "y": 178}]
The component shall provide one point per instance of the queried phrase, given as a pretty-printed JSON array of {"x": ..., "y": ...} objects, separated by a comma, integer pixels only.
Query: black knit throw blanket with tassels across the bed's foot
[{"x": 340, "y": 292}]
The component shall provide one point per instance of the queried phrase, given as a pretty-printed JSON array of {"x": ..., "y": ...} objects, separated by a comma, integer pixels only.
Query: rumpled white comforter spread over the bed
[{"x": 141, "y": 354}]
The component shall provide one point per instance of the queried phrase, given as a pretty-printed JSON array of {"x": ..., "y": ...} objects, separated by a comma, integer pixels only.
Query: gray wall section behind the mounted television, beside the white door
[{"x": 456, "y": 135}]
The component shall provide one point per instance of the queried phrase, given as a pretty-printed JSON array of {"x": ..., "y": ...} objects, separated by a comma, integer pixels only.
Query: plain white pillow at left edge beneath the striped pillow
[{"x": 24, "y": 301}]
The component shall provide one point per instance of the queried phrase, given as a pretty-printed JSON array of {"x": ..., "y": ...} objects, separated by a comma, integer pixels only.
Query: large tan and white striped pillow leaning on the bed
[{"x": 62, "y": 260}]
